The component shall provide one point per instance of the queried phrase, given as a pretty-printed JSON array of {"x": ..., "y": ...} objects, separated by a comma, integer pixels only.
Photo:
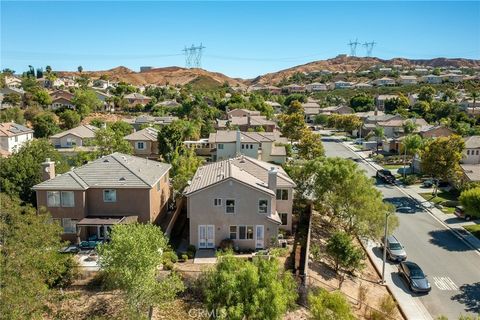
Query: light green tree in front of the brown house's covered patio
[{"x": 131, "y": 260}]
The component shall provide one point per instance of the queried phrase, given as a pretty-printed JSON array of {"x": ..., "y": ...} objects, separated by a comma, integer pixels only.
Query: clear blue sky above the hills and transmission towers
[{"x": 241, "y": 39}]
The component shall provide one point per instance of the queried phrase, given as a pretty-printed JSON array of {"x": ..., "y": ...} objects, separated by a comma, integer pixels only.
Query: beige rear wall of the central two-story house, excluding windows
[{"x": 201, "y": 211}]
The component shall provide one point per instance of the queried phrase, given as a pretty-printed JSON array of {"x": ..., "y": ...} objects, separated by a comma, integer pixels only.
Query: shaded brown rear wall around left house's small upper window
[{"x": 135, "y": 202}]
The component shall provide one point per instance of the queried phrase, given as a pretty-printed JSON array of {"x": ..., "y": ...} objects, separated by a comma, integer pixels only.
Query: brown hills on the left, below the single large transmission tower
[{"x": 160, "y": 76}]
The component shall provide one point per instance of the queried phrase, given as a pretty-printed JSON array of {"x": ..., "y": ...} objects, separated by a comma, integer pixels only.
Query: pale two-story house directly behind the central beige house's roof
[{"x": 266, "y": 146}]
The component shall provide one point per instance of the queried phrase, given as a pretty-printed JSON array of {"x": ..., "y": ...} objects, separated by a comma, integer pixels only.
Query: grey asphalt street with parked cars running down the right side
[{"x": 452, "y": 267}]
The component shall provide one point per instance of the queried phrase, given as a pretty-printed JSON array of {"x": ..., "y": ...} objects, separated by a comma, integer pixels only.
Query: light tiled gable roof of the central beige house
[{"x": 246, "y": 170}]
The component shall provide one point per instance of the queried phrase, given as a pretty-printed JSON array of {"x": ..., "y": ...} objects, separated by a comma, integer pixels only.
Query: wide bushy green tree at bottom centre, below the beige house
[{"x": 239, "y": 289}]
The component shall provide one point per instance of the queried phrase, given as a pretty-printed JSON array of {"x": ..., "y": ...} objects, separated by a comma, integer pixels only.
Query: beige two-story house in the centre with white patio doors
[{"x": 242, "y": 199}]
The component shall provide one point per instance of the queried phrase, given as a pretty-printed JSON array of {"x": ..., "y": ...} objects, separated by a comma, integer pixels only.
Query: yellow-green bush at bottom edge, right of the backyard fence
[{"x": 326, "y": 305}]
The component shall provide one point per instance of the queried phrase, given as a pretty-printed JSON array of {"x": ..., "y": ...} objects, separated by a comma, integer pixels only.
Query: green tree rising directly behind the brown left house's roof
[{"x": 108, "y": 141}]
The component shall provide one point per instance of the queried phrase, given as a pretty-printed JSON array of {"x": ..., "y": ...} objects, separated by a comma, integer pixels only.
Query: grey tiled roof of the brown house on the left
[{"x": 116, "y": 170}]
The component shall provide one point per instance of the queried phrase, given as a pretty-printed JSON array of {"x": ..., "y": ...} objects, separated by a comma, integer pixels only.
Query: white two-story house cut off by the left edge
[{"x": 13, "y": 136}]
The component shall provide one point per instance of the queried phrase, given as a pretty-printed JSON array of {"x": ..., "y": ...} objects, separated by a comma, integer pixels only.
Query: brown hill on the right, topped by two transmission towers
[{"x": 344, "y": 63}]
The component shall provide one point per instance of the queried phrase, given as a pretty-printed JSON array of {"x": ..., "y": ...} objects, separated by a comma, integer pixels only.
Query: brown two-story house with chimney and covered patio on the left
[{"x": 87, "y": 201}]
